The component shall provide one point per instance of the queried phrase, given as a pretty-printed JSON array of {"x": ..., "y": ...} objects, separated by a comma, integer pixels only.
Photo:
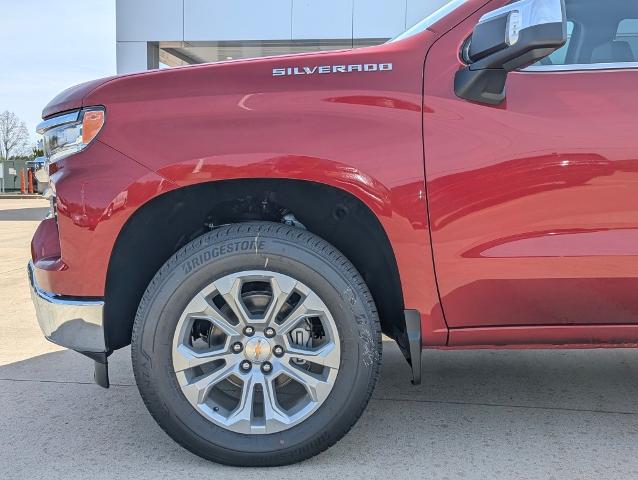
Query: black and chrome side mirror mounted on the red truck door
[{"x": 509, "y": 38}]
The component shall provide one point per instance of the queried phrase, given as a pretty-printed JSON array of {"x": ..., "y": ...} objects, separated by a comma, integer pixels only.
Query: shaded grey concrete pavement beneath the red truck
[{"x": 478, "y": 414}]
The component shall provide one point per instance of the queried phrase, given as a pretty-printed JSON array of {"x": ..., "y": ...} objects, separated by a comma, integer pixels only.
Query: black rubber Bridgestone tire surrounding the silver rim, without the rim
[{"x": 291, "y": 253}]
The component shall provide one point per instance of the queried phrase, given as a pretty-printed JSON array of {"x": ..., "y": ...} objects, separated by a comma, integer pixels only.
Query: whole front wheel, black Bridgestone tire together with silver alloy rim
[{"x": 257, "y": 344}]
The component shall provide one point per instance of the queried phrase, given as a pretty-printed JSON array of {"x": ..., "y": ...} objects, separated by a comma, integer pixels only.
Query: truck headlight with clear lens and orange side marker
[{"x": 70, "y": 132}]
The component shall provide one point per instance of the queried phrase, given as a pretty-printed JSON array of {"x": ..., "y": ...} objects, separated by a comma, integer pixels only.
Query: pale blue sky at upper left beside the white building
[{"x": 49, "y": 45}]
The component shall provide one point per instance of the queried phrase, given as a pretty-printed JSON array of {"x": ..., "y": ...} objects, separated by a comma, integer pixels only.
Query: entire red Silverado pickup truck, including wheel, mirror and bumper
[{"x": 252, "y": 227}]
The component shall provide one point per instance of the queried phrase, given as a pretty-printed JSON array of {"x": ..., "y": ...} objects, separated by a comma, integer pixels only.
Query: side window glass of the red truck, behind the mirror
[{"x": 598, "y": 32}]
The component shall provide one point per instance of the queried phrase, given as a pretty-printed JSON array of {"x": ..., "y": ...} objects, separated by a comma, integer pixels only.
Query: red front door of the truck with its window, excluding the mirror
[{"x": 534, "y": 203}]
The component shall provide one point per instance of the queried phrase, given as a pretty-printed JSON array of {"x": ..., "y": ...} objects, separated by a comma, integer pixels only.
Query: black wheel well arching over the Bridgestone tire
[{"x": 165, "y": 224}]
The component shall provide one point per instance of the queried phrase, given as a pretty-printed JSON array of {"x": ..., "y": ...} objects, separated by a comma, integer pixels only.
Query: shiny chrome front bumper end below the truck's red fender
[{"x": 70, "y": 322}]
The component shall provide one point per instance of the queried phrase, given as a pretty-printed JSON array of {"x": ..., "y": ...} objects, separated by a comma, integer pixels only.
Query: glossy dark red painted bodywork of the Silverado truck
[{"x": 533, "y": 217}]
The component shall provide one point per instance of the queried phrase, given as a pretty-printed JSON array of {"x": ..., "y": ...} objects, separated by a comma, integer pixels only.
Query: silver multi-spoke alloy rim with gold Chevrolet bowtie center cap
[{"x": 256, "y": 352}]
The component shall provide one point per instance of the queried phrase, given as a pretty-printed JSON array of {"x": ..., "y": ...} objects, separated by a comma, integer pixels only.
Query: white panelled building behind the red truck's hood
[{"x": 154, "y": 33}]
